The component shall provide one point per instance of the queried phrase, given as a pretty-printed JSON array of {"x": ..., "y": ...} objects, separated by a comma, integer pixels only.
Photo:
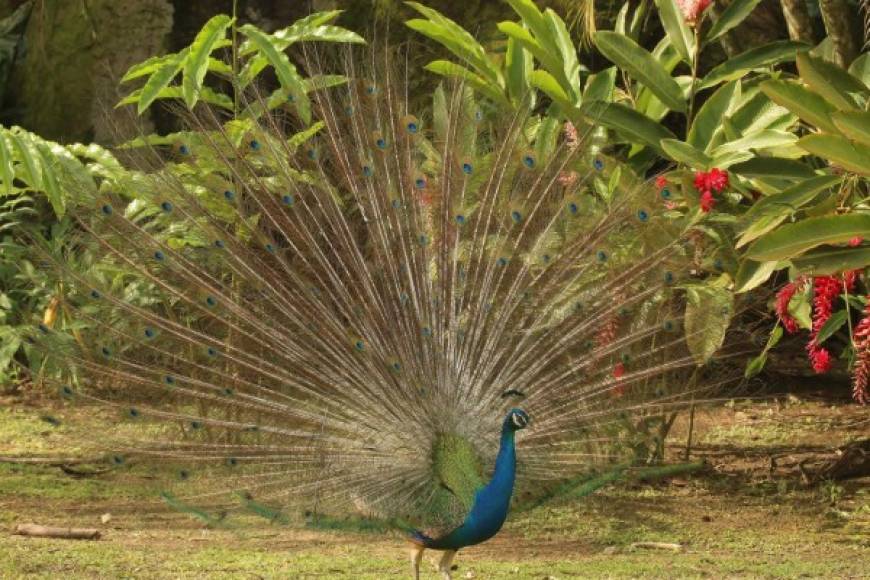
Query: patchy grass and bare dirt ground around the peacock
[{"x": 750, "y": 513}]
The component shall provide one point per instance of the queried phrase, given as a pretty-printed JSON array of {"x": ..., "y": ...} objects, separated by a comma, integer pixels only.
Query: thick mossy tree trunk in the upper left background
[{"x": 67, "y": 85}]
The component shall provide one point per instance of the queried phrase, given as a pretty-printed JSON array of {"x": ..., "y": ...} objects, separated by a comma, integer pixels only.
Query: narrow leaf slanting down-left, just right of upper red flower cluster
[{"x": 768, "y": 212}]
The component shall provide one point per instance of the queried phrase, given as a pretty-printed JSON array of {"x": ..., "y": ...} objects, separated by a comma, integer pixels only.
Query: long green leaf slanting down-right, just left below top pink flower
[{"x": 640, "y": 64}]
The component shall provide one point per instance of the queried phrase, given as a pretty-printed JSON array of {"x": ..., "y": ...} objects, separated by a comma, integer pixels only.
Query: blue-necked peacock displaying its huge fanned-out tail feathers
[{"x": 355, "y": 323}]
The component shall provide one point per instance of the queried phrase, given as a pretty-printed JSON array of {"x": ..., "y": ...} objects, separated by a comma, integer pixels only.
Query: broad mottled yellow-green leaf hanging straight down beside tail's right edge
[{"x": 708, "y": 314}]
